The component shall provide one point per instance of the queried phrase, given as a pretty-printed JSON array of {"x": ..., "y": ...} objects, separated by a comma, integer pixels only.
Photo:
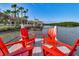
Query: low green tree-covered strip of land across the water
[{"x": 64, "y": 24}]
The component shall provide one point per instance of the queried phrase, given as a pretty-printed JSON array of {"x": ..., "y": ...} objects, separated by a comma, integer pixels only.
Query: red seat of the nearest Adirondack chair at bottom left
[{"x": 22, "y": 51}]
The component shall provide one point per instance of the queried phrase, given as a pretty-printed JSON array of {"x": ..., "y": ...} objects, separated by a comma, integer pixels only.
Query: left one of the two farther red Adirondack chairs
[{"x": 25, "y": 35}]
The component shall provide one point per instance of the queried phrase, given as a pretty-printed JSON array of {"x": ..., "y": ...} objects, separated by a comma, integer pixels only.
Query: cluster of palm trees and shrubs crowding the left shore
[{"x": 10, "y": 19}]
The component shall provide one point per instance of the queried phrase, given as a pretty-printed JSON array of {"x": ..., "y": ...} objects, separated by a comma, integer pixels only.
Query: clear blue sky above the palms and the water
[{"x": 49, "y": 12}]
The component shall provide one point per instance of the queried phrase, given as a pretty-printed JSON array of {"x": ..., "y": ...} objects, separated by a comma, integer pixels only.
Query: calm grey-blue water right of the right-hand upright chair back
[{"x": 68, "y": 35}]
